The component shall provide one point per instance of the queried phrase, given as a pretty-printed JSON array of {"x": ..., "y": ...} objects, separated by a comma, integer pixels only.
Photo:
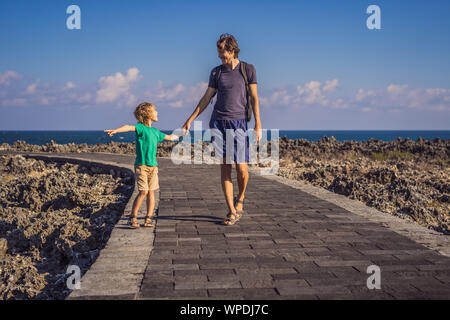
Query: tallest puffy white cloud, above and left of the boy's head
[{"x": 117, "y": 86}]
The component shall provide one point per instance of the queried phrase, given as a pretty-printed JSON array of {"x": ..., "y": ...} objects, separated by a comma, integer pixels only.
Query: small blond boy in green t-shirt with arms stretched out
[{"x": 146, "y": 167}]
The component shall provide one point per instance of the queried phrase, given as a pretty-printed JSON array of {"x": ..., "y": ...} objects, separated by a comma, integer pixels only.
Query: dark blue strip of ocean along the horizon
[{"x": 94, "y": 137}]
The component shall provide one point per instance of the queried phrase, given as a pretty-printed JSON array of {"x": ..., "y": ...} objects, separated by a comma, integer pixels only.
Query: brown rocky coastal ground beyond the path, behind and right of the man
[{"x": 406, "y": 178}]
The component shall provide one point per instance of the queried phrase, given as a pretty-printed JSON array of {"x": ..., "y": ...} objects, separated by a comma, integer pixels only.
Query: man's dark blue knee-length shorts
[{"x": 237, "y": 130}]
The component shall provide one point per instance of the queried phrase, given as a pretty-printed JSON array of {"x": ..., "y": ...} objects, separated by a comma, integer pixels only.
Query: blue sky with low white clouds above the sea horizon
[{"x": 318, "y": 65}]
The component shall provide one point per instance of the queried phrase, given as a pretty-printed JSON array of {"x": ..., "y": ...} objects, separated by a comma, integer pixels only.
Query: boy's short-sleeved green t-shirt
[{"x": 147, "y": 139}]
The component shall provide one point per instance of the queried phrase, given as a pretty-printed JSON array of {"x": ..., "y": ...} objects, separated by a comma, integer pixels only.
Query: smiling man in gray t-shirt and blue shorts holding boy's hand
[{"x": 230, "y": 113}]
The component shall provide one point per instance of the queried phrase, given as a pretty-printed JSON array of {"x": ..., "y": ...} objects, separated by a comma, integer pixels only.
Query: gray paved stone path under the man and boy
[{"x": 289, "y": 245}]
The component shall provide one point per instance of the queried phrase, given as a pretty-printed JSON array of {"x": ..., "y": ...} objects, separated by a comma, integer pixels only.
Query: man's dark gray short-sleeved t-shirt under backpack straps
[{"x": 231, "y": 93}]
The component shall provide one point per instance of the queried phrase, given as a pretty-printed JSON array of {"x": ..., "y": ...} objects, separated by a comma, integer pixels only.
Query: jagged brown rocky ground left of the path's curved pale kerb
[{"x": 53, "y": 215}]
